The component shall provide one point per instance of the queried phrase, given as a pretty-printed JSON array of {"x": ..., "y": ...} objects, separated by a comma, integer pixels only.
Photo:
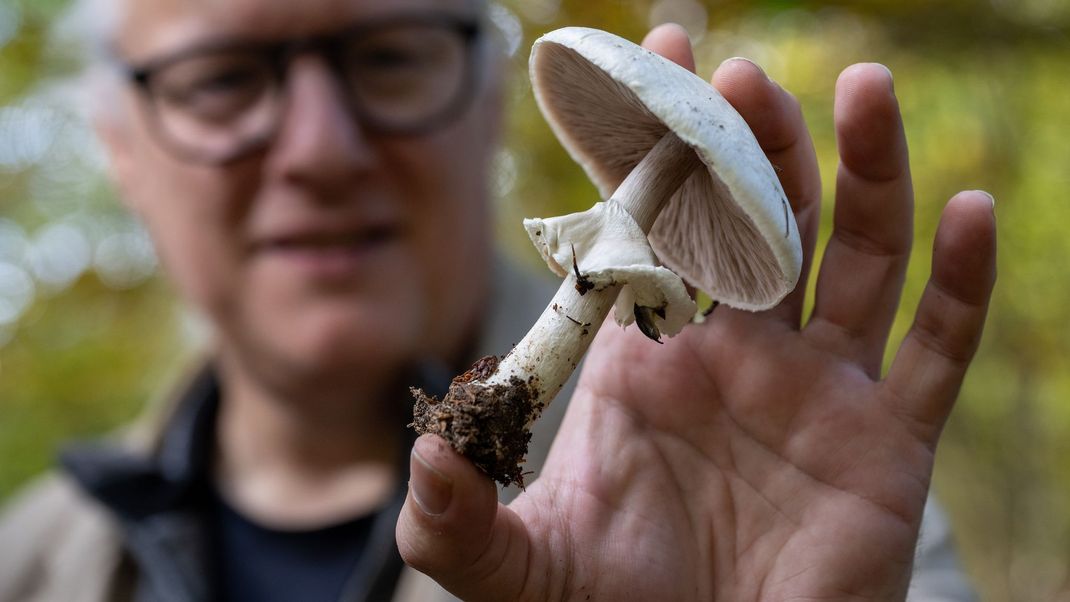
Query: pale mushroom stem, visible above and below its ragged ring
[{"x": 551, "y": 352}]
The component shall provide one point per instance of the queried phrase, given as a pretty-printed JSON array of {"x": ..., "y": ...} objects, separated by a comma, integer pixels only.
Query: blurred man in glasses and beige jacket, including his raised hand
[{"x": 314, "y": 176}]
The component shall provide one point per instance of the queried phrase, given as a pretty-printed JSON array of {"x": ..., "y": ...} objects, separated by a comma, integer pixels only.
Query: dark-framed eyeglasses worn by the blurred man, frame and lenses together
[{"x": 404, "y": 76}]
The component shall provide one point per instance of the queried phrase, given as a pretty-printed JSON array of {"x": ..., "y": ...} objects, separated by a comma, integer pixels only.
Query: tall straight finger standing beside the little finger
[{"x": 865, "y": 265}]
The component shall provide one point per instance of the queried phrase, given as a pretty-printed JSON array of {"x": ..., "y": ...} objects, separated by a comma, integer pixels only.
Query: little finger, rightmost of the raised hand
[{"x": 933, "y": 361}]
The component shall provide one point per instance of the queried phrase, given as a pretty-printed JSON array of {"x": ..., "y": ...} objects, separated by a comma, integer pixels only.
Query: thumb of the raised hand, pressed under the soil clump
[{"x": 453, "y": 529}]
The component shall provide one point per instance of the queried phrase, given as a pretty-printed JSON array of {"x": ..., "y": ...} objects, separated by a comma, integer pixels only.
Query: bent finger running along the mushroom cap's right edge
[{"x": 776, "y": 119}]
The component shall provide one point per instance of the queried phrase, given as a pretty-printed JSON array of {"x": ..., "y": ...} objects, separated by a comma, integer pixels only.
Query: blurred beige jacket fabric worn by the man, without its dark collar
[{"x": 59, "y": 545}]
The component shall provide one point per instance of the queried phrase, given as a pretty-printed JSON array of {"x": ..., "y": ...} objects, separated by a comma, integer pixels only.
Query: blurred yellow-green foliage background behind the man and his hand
[{"x": 88, "y": 331}]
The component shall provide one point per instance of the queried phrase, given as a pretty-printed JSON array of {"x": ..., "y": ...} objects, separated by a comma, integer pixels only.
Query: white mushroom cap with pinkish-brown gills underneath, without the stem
[{"x": 729, "y": 230}]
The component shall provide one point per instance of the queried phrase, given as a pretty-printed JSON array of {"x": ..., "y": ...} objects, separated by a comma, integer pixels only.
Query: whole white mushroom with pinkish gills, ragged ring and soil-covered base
[{"x": 675, "y": 161}]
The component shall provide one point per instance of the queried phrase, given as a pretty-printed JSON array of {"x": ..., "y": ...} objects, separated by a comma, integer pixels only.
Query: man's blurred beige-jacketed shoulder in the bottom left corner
[{"x": 56, "y": 538}]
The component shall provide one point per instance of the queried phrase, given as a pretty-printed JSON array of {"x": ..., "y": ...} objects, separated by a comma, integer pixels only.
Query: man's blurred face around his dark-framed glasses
[{"x": 335, "y": 250}]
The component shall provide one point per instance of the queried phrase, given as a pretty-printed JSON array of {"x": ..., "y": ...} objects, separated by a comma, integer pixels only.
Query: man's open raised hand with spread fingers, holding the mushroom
[{"x": 752, "y": 457}]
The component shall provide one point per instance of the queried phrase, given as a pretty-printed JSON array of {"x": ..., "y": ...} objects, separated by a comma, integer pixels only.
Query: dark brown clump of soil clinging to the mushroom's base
[{"x": 486, "y": 424}]
